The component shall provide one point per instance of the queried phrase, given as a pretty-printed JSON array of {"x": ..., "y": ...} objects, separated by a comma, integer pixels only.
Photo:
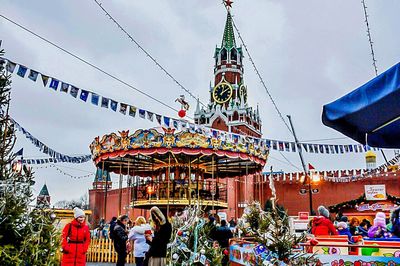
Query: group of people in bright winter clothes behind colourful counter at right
[{"x": 354, "y": 229}]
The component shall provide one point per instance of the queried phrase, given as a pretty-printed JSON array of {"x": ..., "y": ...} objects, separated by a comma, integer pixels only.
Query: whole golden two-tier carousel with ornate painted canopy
[{"x": 171, "y": 169}]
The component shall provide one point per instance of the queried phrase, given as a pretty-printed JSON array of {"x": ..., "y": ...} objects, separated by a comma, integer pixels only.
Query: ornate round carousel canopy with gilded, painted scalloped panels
[{"x": 149, "y": 150}]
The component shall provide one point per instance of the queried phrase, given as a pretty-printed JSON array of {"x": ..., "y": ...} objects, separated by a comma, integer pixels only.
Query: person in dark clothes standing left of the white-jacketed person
[{"x": 120, "y": 238}]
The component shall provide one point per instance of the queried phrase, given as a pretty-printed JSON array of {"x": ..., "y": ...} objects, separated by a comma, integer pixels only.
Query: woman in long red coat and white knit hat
[{"x": 75, "y": 240}]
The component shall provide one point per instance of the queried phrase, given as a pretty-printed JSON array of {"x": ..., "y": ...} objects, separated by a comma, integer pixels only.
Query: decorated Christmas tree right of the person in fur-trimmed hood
[{"x": 192, "y": 243}]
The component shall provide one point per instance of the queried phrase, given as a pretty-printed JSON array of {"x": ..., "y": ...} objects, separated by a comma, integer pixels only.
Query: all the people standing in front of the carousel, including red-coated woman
[{"x": 147, "y": 240}]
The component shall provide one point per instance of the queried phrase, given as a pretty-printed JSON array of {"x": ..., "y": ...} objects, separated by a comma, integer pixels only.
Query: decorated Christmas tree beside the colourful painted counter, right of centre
[{"x": 270, "y": 230}]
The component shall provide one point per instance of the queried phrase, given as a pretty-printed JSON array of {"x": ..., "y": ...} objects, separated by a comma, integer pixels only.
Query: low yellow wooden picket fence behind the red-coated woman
[{"x": 102, "y": 250}]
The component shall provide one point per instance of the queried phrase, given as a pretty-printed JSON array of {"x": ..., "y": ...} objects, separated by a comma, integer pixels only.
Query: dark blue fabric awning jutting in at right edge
[{"x": 372, "y": 110}]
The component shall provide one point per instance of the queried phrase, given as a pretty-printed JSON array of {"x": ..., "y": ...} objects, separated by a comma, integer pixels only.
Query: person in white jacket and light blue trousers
[{"x": 136, "y": 234}]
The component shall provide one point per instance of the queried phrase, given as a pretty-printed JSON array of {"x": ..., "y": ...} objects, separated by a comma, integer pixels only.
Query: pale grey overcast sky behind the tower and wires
[{"x": 308, "y": 52}]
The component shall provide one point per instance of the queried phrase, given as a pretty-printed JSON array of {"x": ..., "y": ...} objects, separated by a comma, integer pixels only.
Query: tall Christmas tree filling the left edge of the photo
[{"x": 27, "y": 235}]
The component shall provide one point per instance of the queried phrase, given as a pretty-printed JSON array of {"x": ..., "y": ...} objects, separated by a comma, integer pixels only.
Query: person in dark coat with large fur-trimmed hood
[{"x": 158, "y": 244}]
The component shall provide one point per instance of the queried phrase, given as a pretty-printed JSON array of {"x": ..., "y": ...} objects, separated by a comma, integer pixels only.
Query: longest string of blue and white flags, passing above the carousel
[{"x": 180, "y": 124}]
